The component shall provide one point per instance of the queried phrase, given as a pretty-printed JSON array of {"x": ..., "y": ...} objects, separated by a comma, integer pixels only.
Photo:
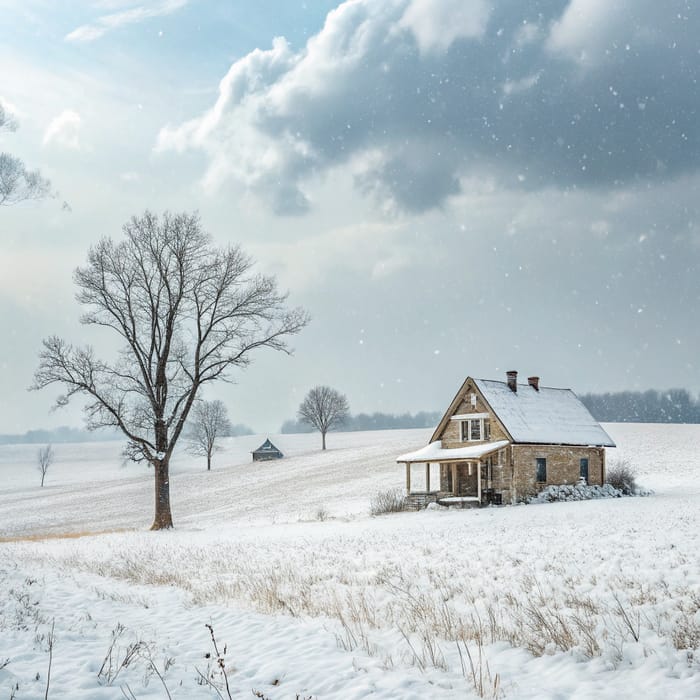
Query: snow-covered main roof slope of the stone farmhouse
[{"x": 548, "y": 416}]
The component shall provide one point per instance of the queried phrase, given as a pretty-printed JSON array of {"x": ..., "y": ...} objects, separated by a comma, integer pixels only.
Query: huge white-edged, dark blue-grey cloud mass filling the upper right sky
[{"x": 373, "y": 93}]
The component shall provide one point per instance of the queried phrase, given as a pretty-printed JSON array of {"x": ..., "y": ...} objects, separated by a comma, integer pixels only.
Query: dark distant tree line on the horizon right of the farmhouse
[{"x": 672, "y": 406}]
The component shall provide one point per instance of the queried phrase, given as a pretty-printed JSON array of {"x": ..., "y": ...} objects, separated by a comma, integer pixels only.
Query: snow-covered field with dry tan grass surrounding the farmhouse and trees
[{"x": 309, "y": 596}]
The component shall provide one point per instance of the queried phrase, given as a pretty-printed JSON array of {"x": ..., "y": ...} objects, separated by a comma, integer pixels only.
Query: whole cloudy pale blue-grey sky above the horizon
[{"x": 450, "y": 187}]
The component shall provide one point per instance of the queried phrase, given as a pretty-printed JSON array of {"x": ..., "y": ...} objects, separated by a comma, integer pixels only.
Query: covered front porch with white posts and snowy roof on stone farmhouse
[{"x": 457, "y": 476}]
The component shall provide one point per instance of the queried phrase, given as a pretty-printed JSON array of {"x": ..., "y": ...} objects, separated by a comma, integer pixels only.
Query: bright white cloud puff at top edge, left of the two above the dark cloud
[{"x": 436, "y": 24}]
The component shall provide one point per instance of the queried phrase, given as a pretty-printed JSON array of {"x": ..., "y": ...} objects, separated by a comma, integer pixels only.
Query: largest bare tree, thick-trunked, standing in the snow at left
[{"x": 187, "y": 313}]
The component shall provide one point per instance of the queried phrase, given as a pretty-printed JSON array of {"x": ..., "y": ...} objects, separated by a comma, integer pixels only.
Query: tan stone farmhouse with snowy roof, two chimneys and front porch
[{"x": 500, "y": 442}]
